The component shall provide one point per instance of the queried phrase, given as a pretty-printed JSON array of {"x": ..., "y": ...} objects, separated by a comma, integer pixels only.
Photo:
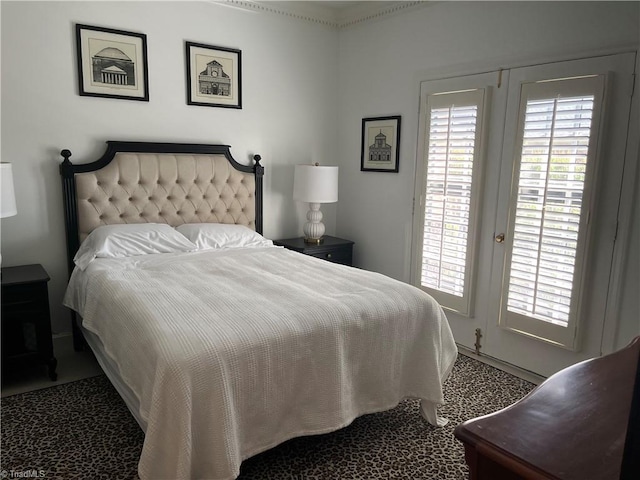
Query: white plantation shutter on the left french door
[{"x": 449, "y": 196}]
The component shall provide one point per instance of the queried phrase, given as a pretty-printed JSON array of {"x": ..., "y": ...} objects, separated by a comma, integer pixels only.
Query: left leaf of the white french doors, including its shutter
[{"x": 461, "y": 127}]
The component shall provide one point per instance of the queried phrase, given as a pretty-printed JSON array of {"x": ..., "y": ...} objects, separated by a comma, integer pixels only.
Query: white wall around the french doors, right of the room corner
[{"x": 381, "y": 65}]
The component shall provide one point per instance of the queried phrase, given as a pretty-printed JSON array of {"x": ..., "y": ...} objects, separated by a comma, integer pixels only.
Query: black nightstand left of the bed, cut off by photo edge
[{"x": 26, "y": 322}]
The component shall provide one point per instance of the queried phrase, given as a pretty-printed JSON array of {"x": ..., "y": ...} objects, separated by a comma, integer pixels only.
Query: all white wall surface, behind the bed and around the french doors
[{"x": 306, "y": 89}]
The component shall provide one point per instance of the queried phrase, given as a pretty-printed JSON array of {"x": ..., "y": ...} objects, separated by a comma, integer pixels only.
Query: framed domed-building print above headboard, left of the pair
[{"x": 112, "y": 63}]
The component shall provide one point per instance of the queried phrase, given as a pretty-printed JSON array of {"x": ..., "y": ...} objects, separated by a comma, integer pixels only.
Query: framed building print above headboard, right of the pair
[{"x": 214, "y": 76}]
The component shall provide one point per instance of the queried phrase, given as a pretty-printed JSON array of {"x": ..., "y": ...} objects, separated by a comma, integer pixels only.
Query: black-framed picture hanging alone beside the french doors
[{"x": 380, "y": 144}]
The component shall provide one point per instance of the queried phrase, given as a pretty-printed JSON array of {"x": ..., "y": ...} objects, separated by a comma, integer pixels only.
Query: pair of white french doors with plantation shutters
[{"x": 518, "y": 181}]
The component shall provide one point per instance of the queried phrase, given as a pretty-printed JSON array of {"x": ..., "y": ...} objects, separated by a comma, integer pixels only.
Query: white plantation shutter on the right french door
[{"x": 551, "y": 200}]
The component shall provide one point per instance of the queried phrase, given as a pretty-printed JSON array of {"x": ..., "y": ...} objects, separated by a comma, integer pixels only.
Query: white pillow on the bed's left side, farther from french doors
[{"x": 128, "y": 240}]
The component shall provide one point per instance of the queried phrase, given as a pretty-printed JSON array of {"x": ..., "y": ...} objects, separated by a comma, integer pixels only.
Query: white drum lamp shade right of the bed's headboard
[{"x": 315, "y": 183}]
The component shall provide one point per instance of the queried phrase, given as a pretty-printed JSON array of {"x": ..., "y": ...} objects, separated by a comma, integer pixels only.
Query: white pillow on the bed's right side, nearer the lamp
[{"x": 207, "y": 236}]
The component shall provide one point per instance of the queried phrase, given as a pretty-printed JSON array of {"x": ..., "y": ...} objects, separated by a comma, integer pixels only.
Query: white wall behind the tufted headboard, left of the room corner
[{"x": 289, "y": 113}]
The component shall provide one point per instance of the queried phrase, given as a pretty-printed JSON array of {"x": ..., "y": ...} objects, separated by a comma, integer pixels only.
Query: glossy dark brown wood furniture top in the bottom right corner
[{"x": 572, "y": 426}]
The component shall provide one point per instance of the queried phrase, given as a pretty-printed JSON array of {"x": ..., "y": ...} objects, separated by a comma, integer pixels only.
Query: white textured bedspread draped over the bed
[{"x": 233, "y": 352}]
